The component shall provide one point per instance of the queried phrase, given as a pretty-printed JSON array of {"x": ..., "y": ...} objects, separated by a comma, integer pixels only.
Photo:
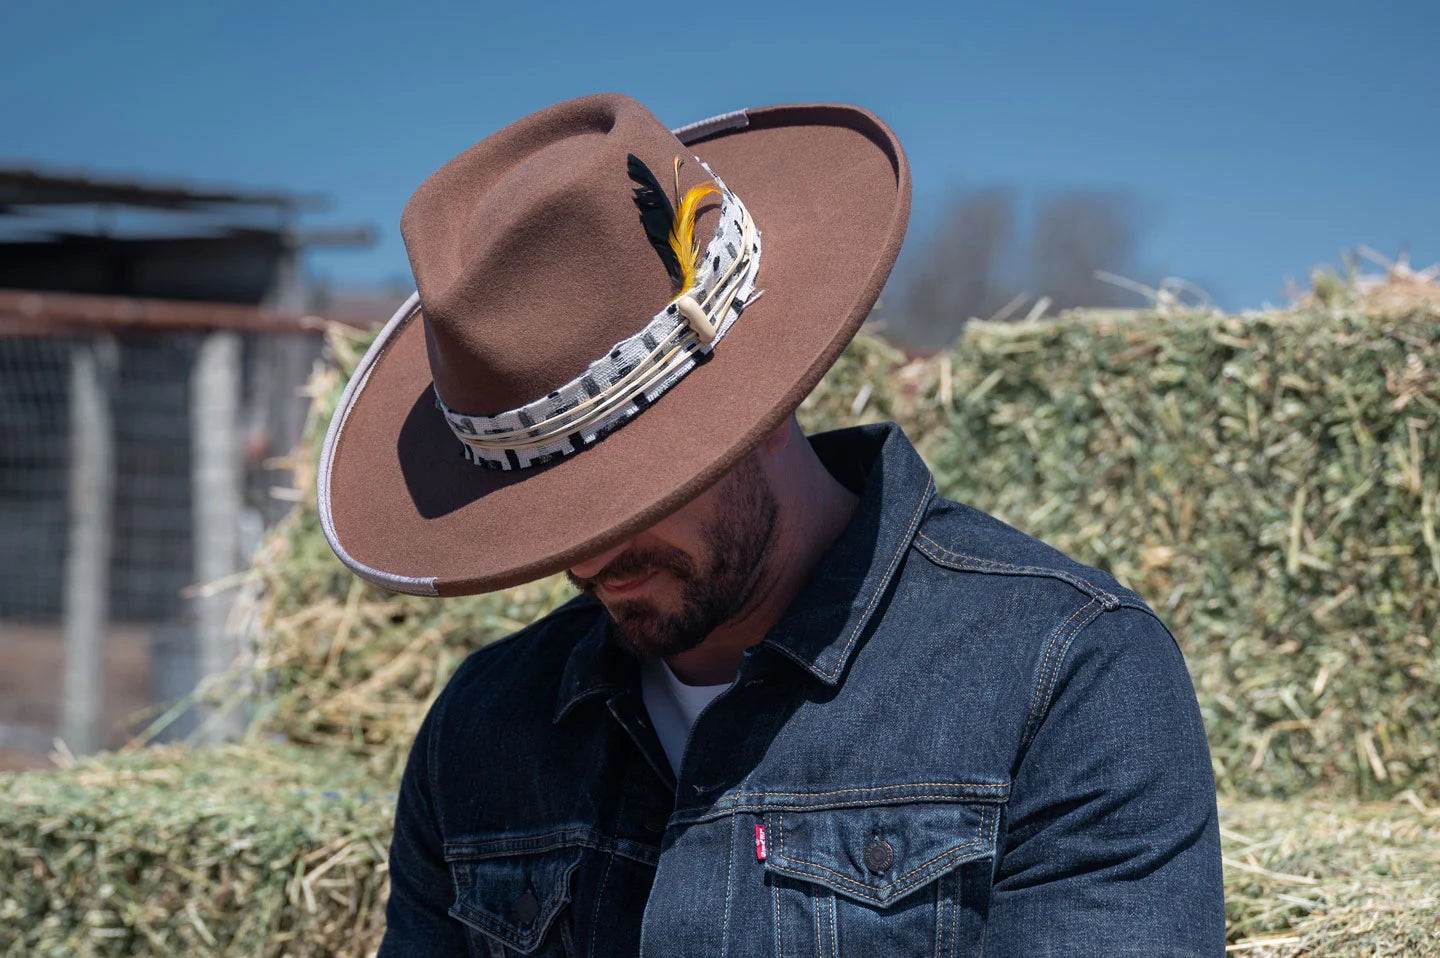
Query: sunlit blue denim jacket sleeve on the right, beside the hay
[{"x": 1111, "y": 839}]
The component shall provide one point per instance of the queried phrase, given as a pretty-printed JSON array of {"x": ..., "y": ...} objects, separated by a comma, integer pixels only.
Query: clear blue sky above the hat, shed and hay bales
[{"x": 1259, "y": 139}]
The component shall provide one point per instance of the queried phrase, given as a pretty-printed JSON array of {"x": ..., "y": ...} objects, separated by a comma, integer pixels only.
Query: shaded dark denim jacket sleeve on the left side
[{"x": 417, "y": 916}]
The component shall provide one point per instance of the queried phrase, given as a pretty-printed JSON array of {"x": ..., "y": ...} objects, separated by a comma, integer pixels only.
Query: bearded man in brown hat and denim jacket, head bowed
[{"x": 804, "y": 705}]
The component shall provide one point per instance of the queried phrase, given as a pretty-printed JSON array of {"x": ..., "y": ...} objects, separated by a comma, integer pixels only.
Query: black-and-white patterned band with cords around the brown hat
[{"x": 637, "y": 371}]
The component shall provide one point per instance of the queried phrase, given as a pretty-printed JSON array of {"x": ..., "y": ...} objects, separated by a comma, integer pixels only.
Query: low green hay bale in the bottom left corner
[{"x": 162, "y": 852}]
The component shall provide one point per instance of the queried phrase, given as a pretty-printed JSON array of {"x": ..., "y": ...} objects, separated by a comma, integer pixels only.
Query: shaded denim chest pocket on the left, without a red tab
[{"x": 515, "y": 895}]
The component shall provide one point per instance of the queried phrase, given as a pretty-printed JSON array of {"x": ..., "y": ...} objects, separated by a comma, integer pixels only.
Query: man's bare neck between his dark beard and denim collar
[{"x": 814, "y": 511}]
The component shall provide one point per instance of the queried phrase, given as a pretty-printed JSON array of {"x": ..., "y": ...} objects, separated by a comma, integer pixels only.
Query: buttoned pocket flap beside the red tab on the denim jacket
[{"x": 881, "y": 854}]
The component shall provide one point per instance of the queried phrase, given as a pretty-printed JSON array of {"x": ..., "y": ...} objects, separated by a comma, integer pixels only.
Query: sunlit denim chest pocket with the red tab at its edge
[{"x": 901, "y": 879}]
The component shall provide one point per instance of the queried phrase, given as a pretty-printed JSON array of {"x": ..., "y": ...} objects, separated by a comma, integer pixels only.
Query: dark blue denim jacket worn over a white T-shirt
[{"x": 955, "y": 743}]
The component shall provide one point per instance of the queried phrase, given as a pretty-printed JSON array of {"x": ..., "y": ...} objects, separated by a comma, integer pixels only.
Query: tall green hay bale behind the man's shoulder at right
[{"x": 1271, "y": 483}]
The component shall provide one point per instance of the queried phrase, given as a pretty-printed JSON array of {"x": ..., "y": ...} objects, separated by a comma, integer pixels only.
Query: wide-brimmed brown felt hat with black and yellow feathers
[{"x": 534, "y": 263}]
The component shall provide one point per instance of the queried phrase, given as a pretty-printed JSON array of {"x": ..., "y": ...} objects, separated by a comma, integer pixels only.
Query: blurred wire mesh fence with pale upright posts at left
[{"x": 135, "y": 466}]
